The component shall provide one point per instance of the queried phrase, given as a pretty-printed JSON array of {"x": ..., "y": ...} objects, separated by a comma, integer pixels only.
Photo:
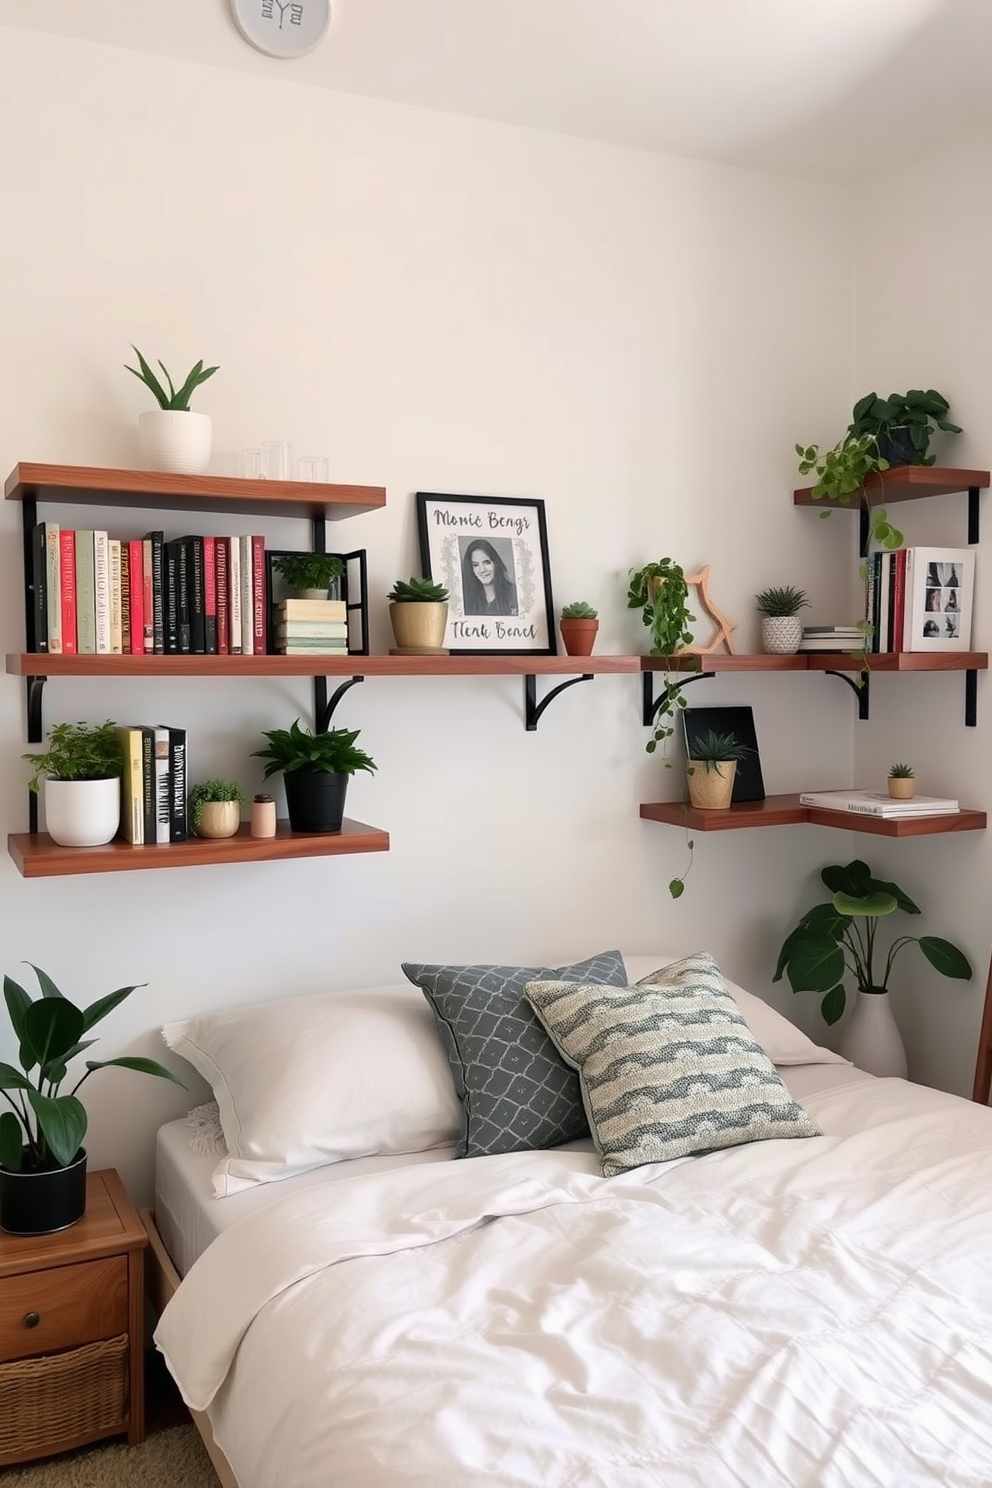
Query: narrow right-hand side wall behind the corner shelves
[{"x": 924, "y": 321}]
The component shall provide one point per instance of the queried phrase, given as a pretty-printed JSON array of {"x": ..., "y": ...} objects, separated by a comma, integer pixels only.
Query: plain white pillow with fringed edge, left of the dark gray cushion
[{"x": 310, "y": 1081}]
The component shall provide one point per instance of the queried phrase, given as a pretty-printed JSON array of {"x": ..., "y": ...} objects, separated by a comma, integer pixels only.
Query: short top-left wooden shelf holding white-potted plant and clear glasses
[{"x": 93, "y": 486}]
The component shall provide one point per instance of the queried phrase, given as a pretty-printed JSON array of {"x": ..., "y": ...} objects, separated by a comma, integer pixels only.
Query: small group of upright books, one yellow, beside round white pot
[{"x": 154, "y": 785}]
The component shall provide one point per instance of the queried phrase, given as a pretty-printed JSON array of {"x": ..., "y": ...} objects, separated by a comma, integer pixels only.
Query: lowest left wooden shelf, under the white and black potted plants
[{"x": 36, "y": 856}]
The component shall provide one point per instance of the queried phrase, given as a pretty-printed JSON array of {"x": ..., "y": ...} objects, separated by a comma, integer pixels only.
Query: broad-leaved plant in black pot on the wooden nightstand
[{"x": 42, "y": 1158}]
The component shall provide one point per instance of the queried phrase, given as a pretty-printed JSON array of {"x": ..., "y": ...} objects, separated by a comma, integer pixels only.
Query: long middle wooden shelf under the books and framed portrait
[{"x": 44, "y": 664}]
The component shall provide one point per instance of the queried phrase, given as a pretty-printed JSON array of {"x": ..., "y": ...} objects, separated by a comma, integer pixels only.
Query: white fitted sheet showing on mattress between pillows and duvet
[{"x": 190, "y": 1216}]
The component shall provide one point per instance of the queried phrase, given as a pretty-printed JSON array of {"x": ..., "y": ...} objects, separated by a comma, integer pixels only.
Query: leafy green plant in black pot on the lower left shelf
[{"x": 316, "y": 770}]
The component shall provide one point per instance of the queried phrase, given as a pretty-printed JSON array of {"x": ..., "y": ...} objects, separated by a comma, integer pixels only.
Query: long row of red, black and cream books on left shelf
[{"x": 148, "y": 596}]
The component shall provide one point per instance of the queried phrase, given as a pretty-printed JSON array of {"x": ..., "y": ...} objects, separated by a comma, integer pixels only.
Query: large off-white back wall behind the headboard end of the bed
[{"x": 445, "y": 306}]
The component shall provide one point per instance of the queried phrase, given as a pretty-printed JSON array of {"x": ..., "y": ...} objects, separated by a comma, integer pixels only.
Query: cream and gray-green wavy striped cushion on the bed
[{"x": 667, "y": 1071}]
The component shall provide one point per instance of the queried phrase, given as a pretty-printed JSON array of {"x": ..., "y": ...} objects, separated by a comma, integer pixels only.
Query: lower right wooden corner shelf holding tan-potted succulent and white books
[{"x": 783, "y": 812}]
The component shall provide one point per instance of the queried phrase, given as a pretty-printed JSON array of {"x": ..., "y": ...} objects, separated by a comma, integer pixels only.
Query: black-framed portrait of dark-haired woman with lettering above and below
[{"x": 492, "y": 556}]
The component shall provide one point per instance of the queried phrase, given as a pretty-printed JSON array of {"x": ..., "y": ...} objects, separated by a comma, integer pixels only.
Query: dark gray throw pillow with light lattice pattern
[{"x": 515, "y": 1090}]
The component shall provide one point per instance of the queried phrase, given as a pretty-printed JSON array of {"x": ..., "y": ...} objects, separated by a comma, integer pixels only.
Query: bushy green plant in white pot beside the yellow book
[{"x": 83, "y": 783}]
